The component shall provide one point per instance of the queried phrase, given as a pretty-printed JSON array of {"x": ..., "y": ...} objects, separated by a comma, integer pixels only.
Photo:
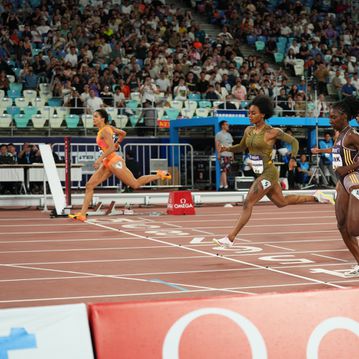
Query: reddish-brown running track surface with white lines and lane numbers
[{"x": 46, "y": 261}]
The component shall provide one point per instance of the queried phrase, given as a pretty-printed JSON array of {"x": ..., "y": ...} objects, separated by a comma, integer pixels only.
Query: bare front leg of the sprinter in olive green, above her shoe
[{"x": 257, "y": 191}]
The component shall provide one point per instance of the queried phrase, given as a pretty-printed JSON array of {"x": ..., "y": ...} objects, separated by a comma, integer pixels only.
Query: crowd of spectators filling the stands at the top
[{"x": 100, "y": 53}]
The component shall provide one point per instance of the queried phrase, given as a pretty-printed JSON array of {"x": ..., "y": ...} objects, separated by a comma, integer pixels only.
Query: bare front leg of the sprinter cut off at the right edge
[{"x": 341, "y": 212}]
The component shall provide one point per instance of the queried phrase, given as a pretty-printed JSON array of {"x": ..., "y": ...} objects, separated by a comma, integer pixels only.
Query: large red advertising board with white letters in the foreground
[{"x": 321, "y": 324}]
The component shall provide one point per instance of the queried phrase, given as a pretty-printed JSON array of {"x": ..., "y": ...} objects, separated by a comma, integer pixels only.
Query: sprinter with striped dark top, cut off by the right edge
[{"x": 346, "y": 165}]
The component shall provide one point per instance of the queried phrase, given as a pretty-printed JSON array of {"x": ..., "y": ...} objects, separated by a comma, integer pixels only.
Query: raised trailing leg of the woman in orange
[{"x": 120, "y": 170}]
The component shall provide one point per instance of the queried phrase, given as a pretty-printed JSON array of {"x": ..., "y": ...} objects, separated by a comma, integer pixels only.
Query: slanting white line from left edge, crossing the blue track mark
[{"x": 94, "y": 275}]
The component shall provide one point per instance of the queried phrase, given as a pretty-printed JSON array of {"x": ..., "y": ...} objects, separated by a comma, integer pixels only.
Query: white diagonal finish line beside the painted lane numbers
[{"x": 222, "y": 257}]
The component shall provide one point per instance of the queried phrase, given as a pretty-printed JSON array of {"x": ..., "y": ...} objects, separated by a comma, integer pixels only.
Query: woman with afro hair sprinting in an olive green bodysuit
[{"x": 259, "y": 139}]
